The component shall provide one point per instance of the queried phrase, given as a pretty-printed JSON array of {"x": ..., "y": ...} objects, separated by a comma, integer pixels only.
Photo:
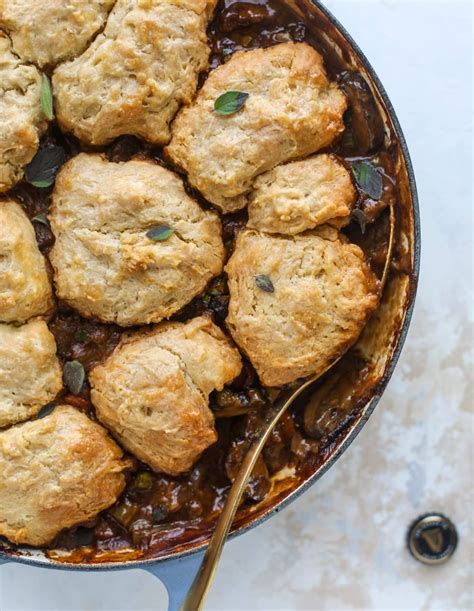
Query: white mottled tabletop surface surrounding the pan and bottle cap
[{"x": 341, "y": 545}]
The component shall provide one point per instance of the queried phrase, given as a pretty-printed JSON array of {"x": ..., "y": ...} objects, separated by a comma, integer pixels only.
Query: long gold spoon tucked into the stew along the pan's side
[{"x": 199, "y": 589}]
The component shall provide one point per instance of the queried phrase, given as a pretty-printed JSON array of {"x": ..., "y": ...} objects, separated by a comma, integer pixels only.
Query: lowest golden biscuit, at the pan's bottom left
[{"x": 57, "y": 472}]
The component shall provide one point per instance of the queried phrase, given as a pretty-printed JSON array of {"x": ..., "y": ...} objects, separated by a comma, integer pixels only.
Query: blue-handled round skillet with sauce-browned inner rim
[{"x": 380, "y": 343}]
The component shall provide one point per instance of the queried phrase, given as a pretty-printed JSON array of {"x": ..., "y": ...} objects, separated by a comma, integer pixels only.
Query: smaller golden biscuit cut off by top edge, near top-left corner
[{"x": 46, "y": 32}]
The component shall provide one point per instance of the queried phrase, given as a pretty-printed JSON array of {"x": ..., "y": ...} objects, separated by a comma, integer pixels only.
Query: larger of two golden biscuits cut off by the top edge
[{"x": 136, "y": 74}]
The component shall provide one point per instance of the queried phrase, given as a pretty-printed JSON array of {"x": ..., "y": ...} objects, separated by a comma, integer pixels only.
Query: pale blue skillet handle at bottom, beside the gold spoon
[{"x": 177, "y": 576}]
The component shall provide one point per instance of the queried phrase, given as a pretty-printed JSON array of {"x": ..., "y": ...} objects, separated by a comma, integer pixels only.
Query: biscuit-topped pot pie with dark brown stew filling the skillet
[{"x": 192, "y": 282}]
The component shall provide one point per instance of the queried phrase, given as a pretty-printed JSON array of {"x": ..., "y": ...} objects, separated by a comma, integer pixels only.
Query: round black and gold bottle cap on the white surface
[{"x": 432, "y": 538}]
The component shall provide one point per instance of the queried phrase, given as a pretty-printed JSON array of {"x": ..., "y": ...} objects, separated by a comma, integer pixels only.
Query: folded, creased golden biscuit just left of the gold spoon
[{"x": 152, "y": 392}]
